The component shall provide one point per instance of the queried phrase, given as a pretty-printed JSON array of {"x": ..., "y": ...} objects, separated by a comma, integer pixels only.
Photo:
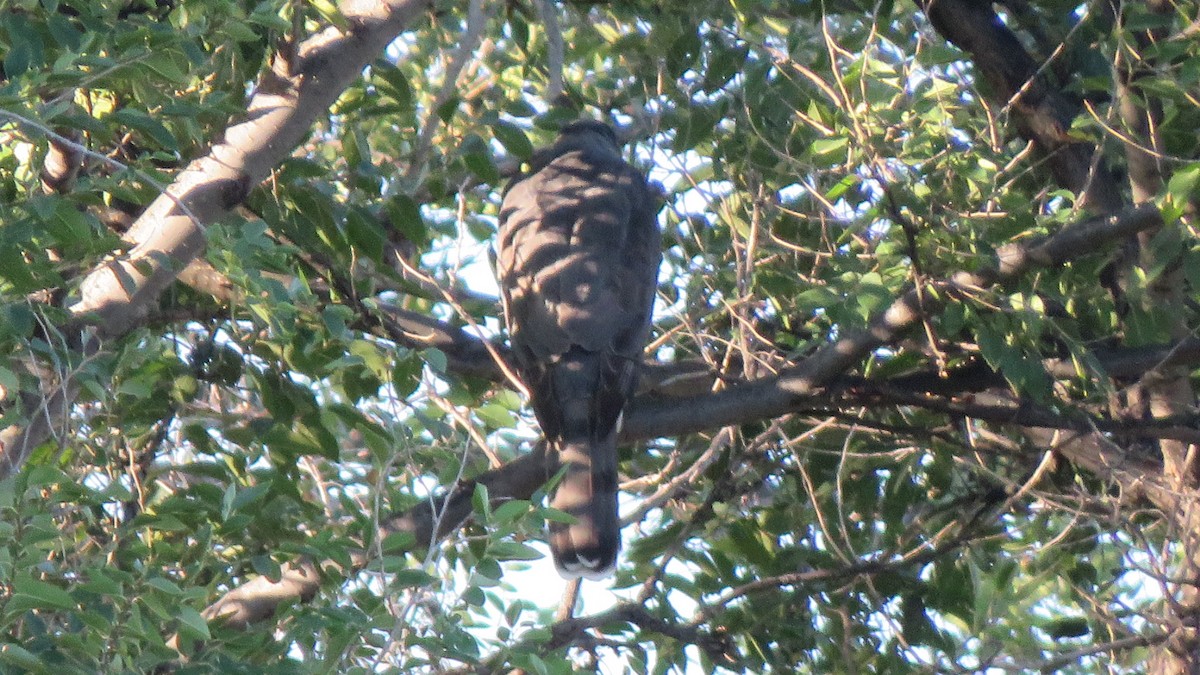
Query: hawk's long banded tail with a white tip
[{"x": 589, "y": 493}]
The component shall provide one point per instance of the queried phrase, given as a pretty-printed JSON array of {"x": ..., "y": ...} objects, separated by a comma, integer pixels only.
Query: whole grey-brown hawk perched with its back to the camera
[{"x": 578, "y": 258}]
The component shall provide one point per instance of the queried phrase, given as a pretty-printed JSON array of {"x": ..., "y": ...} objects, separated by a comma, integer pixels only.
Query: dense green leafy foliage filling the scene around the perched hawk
[{"x": 280, "y": 408}]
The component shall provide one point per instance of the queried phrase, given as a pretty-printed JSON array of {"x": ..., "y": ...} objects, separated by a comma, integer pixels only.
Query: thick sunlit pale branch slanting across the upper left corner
[{"x": 171, "y": 234}]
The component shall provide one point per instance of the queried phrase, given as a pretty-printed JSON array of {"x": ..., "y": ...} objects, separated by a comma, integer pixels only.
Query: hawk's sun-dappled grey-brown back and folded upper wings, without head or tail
[{"x": 579, "y": 258}]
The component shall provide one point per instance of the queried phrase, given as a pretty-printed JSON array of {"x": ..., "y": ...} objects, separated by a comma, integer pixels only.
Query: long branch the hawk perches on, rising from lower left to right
[{"x": 770, "y": 398}]
